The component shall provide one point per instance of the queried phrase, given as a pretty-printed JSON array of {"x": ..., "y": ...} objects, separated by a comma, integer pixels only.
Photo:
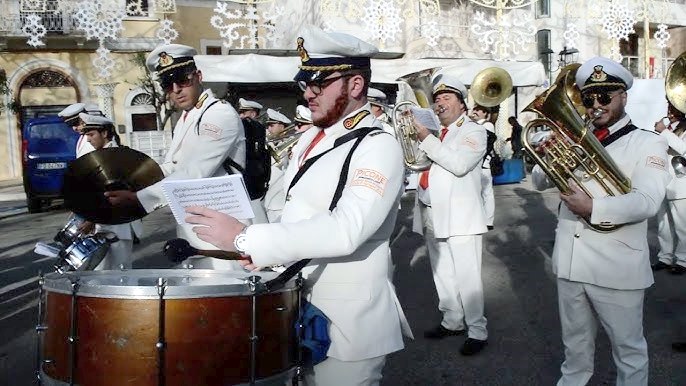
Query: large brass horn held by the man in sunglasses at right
[{"x": 573, "y": 147}]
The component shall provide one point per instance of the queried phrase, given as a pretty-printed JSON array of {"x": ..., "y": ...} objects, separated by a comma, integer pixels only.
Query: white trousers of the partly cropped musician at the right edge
[{"x": 671, "y": 232}]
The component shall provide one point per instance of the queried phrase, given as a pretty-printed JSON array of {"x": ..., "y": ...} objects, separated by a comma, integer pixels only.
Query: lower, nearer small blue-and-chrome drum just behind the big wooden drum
[{"x": 83, "y": 254}]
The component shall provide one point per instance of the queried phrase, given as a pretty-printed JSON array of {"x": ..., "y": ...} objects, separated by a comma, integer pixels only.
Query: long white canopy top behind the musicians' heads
[{"x": 256, "y": 68}]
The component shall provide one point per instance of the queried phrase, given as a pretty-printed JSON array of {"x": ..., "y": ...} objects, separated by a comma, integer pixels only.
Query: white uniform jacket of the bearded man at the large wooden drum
[{"x": 348, "y": 278}]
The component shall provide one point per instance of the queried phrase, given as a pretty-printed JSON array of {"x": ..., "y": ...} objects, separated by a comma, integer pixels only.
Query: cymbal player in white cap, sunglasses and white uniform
[{"x": 208, "y": 133}]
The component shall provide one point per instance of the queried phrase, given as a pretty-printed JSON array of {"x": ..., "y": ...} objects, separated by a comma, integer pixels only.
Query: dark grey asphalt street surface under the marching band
[{"x": 524, "y": 334}]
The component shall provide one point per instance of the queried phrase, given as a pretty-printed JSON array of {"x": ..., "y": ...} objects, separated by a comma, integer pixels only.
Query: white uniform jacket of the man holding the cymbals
[{"x": 199, "y": 154}]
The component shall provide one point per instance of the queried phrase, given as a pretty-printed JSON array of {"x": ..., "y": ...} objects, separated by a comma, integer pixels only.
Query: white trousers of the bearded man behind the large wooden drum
[{"x": 334, "y": 372}]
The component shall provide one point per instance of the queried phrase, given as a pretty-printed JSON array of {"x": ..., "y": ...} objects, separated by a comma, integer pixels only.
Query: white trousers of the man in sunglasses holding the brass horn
[{"x": 621, "y": 314}]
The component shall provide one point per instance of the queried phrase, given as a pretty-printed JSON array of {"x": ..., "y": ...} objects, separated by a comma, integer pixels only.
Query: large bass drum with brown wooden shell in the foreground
[{"x": 167, "y": 327}]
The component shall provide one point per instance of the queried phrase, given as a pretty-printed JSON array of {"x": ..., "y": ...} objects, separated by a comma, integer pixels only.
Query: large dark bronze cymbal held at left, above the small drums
[{"x": 116, "y": 168}]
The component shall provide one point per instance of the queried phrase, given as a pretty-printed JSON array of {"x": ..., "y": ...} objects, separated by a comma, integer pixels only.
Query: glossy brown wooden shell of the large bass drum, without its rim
[{"x": 207, "y": 338}]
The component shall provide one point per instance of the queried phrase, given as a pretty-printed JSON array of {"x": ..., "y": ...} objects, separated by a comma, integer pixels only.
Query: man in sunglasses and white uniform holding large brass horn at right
[{"x": 602, "y": 276}]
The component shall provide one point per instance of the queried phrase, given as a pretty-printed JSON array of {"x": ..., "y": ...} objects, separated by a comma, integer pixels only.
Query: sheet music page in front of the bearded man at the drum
[{"x": 225, "y": 194}]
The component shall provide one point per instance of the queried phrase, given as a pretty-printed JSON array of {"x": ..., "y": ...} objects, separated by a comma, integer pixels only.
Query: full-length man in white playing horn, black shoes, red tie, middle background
[{"x": 449, "y": 204}]
